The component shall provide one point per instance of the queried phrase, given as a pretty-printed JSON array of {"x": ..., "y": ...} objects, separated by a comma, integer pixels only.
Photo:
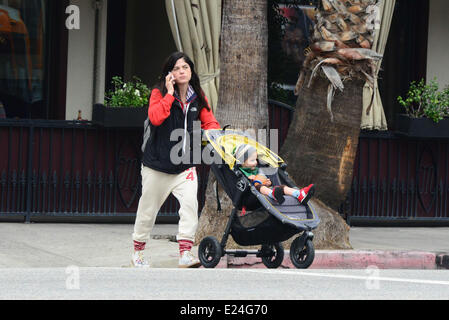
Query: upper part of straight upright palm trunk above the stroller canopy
[{"x": 243, "y": 64}]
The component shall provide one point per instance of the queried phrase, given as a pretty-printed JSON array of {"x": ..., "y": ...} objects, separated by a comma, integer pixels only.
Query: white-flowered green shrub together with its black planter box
[{"x": 126, "y": 105}]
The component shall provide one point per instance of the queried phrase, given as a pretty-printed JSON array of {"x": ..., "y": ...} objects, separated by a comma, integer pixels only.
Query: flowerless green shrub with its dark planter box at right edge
[{"x": 427, "y": 111}]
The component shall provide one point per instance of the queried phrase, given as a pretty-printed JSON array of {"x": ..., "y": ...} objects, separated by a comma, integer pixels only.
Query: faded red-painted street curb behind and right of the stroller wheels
[{"x": 352, "y": 259}]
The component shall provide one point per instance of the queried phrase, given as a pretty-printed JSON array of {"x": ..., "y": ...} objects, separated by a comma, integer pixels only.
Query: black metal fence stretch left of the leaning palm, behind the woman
[{"x": 52, "y": 168}]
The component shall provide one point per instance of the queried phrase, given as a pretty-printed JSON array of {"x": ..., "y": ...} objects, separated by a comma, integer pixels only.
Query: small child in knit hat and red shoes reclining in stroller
[{"x": 247, "y": 156}]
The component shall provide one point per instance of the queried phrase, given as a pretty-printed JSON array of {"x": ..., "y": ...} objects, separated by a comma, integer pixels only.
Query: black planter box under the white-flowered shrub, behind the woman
[{"x": 119, "y": 117}]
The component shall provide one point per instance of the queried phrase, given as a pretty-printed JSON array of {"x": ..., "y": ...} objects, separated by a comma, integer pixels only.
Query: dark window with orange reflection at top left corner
[{"x": 22, "y": 44}]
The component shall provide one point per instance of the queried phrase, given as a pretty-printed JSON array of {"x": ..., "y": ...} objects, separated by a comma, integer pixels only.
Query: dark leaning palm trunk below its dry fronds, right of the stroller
[{"x": 322, "y": 152}]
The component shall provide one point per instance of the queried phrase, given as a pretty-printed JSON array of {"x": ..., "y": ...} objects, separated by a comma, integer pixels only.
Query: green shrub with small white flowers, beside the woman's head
[{"x": 127, "y": 94}]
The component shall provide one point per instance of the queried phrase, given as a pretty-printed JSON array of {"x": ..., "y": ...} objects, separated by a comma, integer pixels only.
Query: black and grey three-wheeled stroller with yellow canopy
[{"x": 257, "y": 219}]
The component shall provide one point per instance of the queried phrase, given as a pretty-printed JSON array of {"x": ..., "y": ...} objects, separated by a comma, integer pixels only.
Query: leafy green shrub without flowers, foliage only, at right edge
[{"x": 424, "y": 100}]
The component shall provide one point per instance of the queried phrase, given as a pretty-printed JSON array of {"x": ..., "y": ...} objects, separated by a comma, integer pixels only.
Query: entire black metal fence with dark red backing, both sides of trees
[{"x": 78, "y": 169}]
